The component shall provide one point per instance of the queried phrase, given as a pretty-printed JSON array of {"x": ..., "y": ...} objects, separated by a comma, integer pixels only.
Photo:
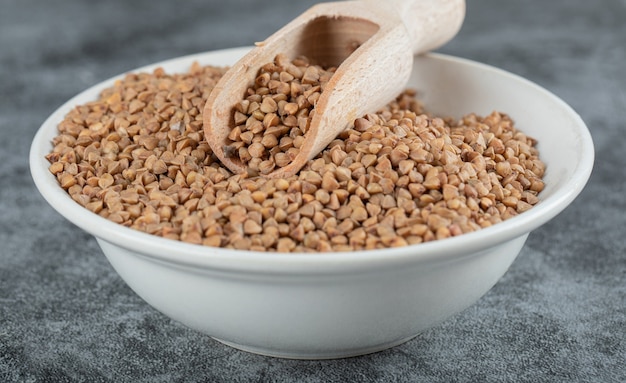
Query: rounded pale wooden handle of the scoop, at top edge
[{"x": 429, "y": 23}]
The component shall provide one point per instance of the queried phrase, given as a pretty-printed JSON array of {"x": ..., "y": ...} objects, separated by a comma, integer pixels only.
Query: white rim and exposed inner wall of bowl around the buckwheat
[{"x": 448, "y": 86}]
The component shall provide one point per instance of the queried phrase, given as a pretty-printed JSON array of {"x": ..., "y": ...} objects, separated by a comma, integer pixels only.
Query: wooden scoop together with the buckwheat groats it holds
[{"x": 362, "y": 53}]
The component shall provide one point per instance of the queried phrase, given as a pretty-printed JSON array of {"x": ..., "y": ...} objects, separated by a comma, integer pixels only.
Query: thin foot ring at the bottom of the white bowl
[{"x": 316, "y": 355}]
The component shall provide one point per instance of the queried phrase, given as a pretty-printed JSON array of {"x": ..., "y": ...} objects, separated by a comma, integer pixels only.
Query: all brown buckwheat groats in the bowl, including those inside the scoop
[{"x": 138, "y": 157}]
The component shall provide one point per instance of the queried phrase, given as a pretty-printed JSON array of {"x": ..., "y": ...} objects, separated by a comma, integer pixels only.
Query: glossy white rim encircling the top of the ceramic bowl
[{"x": 186, "y": 254}]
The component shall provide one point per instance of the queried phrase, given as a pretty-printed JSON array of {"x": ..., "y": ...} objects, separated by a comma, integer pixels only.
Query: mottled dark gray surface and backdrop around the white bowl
[{"x": 558, "y": 315}]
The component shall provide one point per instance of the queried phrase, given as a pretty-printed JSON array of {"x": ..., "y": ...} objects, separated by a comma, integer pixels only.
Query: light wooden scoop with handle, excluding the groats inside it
[{"x": 372, "y": 44}]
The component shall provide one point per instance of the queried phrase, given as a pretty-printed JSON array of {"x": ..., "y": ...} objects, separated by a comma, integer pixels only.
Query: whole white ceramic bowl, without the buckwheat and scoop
[{"x": 341, "y": 304}]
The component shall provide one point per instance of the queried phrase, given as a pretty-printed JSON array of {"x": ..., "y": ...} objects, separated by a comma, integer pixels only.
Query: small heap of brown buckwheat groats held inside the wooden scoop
[{"x": 271, "y": 121}]
